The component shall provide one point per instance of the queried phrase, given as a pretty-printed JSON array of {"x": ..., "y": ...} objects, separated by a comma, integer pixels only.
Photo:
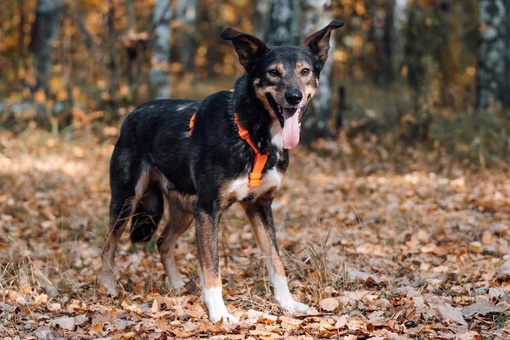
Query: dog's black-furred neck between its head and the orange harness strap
[{"x": 254, "y": 116}]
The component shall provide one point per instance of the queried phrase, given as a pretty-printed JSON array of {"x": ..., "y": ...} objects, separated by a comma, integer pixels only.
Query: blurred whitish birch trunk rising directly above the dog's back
[{"x": 160, "y": 69}]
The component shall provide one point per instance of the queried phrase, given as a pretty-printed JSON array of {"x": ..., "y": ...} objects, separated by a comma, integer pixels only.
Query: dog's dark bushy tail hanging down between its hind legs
[{"x": 148, "y": 212}]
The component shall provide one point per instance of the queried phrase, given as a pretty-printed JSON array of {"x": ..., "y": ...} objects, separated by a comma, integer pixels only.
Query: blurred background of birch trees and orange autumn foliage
[{"x": 434, "y": 72}]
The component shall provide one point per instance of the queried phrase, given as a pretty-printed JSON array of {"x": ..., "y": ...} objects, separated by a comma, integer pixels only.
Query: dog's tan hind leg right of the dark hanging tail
[{"x": 180, "y": 218}]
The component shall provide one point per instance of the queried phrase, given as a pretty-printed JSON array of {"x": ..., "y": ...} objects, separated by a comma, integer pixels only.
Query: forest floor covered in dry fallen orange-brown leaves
[{"x": 376, "y": 248}]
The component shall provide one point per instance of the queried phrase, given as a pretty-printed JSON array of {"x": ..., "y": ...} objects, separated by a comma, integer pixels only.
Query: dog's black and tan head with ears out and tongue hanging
[{"x": 285, "y": 78}]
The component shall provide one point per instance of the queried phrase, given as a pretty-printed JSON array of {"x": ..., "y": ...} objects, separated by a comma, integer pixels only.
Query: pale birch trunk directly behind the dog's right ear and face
[{"x": 321, "y": 117}]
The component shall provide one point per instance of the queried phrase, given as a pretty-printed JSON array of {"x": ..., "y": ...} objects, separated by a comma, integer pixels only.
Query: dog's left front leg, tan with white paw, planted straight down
[{"x": 208, "y": 255}]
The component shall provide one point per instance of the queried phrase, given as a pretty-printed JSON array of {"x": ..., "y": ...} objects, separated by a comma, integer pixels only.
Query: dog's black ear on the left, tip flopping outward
[{"x": 248, "y": 47}]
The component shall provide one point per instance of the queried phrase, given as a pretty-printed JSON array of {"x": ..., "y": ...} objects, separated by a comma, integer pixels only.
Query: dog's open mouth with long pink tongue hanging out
[{"x": 290, "y": 120}]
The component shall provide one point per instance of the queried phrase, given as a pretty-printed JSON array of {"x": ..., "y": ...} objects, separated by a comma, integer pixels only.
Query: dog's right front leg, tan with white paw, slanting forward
[{"x": 261, "y": 220}]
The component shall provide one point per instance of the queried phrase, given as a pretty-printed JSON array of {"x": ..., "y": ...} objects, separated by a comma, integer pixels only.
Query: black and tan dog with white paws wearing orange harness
[{"x": 203, "y": 156}]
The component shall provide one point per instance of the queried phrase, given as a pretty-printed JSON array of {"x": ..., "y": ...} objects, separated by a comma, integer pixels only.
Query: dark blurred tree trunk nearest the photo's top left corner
[{"x": 44, "y": 34}]
